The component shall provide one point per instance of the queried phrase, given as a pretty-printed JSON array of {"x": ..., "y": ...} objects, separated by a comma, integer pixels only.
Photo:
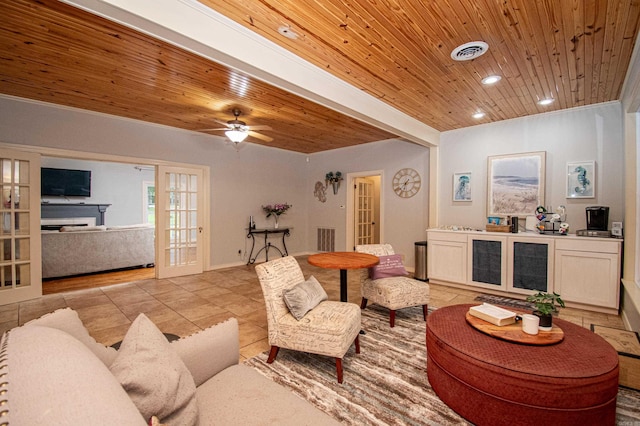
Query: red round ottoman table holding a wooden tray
[{"x": 489, "y": 381}]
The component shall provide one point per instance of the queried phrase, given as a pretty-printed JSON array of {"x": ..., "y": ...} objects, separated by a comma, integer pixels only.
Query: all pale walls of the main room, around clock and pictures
[{"x": 242, "y": 181}]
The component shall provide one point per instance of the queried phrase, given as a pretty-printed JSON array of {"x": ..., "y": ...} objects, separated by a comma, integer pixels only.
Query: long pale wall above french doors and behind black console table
[{"x": 241, "y": 181}]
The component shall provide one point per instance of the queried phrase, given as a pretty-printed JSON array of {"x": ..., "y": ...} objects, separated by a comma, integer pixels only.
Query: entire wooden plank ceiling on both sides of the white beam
[{"x": 574, "y": 51}]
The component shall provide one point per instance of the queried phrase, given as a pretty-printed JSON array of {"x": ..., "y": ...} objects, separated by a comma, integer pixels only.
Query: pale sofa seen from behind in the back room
[{"x": 78, "y": 250}]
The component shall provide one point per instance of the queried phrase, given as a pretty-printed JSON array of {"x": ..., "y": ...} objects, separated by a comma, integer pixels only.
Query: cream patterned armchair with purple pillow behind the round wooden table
[{"x": 386, "y": 284}]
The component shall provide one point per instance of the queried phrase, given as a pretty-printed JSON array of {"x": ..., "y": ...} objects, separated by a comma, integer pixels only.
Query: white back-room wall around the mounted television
[{"x": 111, "y": 183}]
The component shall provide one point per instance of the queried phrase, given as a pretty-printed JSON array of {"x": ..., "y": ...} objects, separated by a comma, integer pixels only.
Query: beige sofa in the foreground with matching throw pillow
[{"x": 55, "y": 373}]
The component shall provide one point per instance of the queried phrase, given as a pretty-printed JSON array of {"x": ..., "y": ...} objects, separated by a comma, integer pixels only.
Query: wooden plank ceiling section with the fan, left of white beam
[{"x": 56, "y": 53}]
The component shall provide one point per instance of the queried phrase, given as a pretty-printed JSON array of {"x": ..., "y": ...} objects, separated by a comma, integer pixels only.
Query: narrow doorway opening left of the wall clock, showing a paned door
[{"x": 365, "y": 213}]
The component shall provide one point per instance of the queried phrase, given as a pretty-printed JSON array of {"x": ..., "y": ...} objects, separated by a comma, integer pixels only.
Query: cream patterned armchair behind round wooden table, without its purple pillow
[{"x": 395, "y": 292}]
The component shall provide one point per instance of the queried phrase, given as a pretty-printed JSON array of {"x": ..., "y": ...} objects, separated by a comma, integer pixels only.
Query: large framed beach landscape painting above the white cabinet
[{"x": 515, "y": 184}]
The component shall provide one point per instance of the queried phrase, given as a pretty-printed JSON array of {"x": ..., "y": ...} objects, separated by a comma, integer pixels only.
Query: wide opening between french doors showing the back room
[{"x": 119, "y": 191}]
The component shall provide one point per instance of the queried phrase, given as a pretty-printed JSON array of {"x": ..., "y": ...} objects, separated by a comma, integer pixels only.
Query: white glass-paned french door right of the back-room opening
[{"x": 179, "y": 221}]
